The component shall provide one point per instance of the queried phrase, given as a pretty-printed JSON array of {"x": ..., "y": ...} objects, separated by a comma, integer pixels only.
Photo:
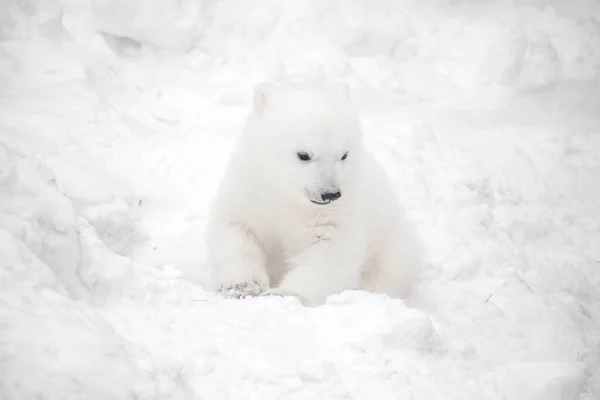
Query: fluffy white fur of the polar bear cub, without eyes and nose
[{"x": 266, "y": 236}]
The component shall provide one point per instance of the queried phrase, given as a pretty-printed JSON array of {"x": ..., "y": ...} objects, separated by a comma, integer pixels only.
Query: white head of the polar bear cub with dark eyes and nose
[{"x": 308, "y": 139}]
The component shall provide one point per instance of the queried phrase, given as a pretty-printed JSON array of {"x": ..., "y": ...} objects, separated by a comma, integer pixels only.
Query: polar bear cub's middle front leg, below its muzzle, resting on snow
[{"x": 325, "y": 268}]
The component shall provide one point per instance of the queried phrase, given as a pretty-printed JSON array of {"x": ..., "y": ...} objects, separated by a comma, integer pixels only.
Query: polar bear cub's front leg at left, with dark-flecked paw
[{"x": 237, "y": 261}]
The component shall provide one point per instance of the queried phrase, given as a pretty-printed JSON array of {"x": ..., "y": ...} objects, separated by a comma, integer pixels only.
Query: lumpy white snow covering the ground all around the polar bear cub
[{"x": 117, "y": 118}]
